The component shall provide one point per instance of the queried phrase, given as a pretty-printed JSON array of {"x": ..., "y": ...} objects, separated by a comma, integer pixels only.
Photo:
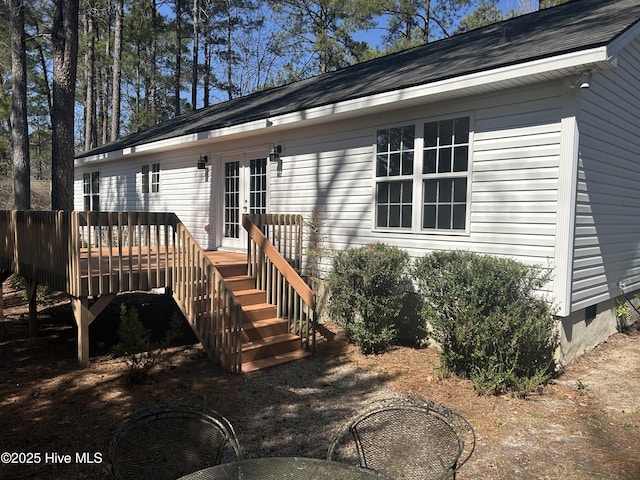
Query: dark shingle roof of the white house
[{"x": 574, "y": 26}]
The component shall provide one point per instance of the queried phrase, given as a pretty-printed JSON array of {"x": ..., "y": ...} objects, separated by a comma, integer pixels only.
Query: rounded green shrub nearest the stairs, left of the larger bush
[{"x": 367, "y": 287}]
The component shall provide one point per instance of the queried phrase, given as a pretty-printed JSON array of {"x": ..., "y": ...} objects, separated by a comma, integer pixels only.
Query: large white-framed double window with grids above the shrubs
[{"x": 422, "y": 176}]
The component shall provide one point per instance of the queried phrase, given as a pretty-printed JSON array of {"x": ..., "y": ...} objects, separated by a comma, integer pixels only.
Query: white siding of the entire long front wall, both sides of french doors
[{"x": 512, "y": 178}]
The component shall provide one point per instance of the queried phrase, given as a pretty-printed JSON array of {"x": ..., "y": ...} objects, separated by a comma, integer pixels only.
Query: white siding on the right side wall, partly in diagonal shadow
[{"x": 608, "y": 199}]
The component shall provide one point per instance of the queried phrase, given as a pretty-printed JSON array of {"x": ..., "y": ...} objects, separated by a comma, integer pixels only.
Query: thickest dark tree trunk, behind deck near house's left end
[{"x": 64, "y": 37}]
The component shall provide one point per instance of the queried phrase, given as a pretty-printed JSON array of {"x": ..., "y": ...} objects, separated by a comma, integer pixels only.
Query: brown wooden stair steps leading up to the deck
[{"x": 266, "y": 339}]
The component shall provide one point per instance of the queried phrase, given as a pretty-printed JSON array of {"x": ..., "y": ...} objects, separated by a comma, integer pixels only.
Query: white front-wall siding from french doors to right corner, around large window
[{"x": 513, "y": 176}]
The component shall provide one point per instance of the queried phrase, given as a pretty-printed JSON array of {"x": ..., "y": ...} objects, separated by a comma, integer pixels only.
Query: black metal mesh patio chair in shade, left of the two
[{"x": 168, "y": 442}]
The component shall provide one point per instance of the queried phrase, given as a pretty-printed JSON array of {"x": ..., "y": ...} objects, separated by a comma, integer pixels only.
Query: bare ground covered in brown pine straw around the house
[{"x": 583, "y": 425}]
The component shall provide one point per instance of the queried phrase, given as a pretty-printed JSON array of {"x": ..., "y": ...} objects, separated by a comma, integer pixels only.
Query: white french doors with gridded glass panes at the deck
[{"x": 244, "y": 190}]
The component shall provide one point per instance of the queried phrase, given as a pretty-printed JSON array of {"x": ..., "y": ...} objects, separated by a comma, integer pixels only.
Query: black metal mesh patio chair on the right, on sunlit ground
[{"x": 405, "y": 439}]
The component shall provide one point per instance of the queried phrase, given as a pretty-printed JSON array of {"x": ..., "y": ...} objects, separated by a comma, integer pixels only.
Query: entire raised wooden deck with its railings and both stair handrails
[{"x": 93, "y": 256}]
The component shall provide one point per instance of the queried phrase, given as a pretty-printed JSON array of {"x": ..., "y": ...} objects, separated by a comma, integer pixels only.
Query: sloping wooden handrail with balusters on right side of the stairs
[{"x": 294, "y": 299}]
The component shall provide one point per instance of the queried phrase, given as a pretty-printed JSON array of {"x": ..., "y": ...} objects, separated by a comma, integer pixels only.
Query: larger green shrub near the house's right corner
[{"x": 491, "y": 324}]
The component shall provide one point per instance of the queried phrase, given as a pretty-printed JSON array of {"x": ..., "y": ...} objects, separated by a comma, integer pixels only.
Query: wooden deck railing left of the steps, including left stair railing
[{"x": 98, "y": 254}]
